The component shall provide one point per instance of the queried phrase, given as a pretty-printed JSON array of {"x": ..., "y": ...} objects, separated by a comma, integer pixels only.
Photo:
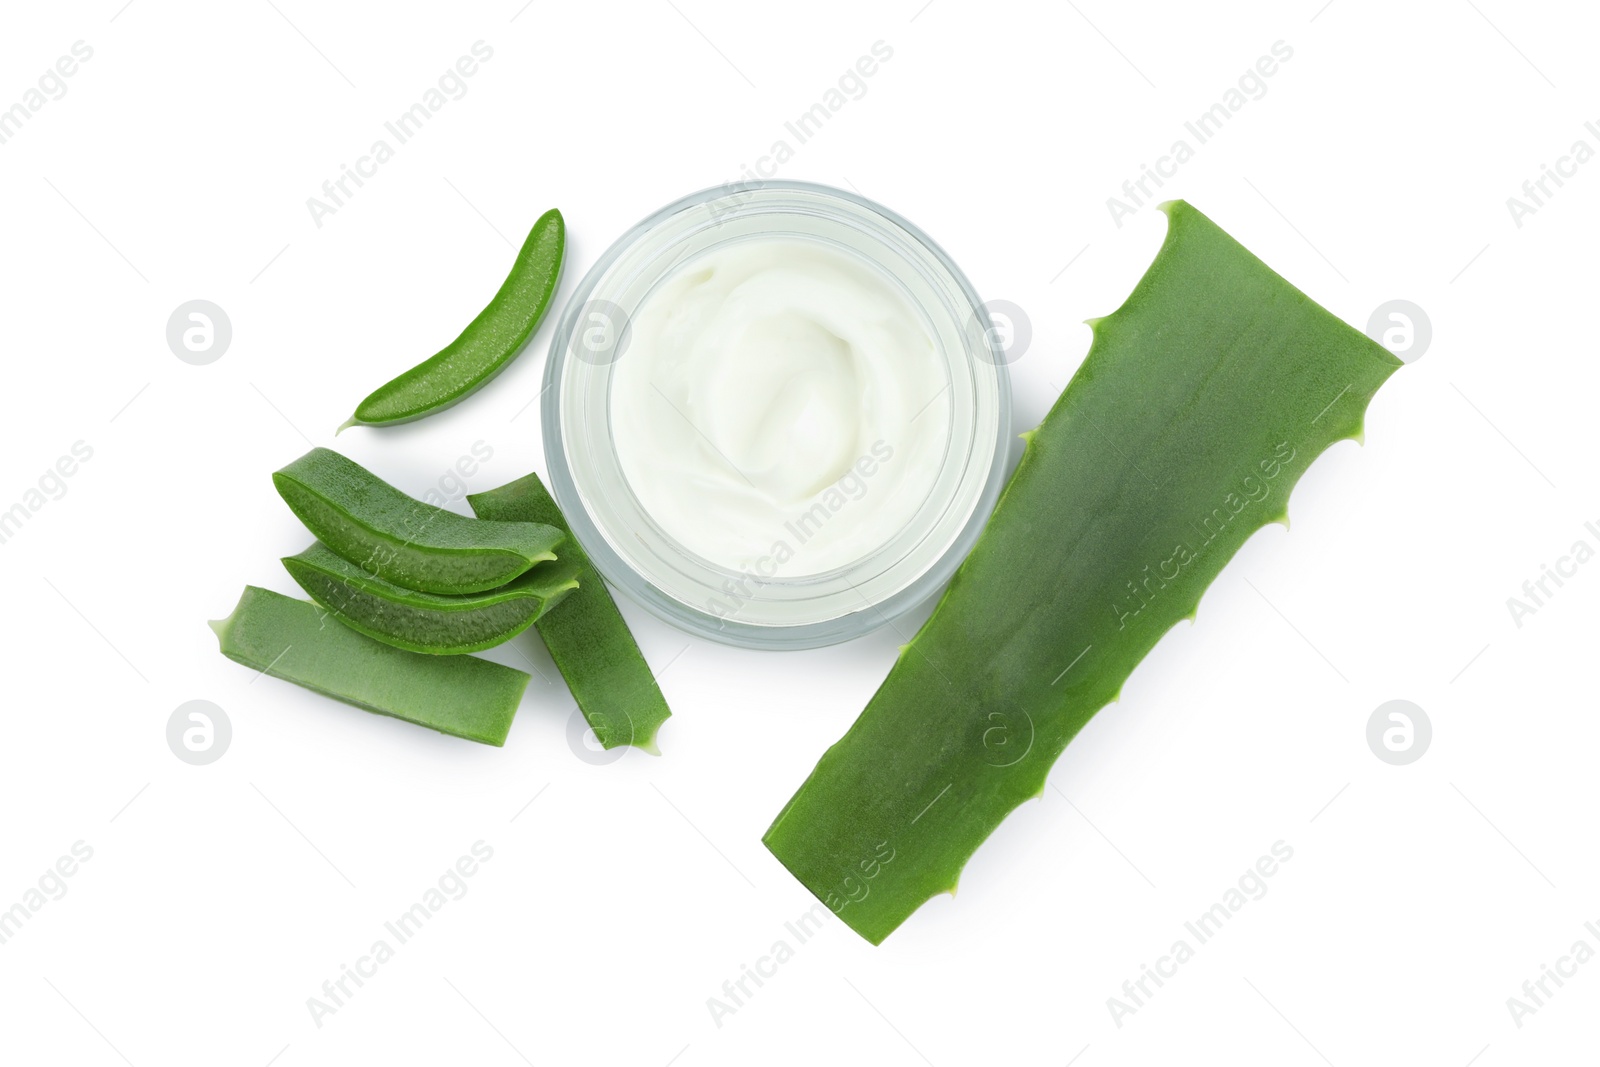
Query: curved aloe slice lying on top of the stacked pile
[{"x": 402, "y": 540}]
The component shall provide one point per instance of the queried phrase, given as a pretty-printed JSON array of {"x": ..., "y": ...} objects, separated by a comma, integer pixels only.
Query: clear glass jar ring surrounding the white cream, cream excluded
[{"x": 761, "y": 607}]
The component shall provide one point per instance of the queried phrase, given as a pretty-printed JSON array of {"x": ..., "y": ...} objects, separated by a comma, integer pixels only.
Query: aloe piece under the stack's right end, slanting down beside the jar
[{"x": 588, "y": 637}]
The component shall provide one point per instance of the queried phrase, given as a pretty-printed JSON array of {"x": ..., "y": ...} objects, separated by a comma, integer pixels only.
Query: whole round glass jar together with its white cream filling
[{"x": 777, "y": 415}]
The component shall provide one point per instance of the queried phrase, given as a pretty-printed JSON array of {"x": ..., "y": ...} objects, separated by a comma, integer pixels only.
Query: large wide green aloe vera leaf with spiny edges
[{"x": 1201, "y": 404}]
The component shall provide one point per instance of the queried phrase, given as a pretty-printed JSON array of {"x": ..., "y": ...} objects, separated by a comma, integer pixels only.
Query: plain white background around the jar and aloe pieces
[{"x": 220, "y": 898}]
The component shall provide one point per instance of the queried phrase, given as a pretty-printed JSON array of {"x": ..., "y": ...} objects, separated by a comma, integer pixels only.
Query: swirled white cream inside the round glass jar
[{"x": 780, "y": 409}]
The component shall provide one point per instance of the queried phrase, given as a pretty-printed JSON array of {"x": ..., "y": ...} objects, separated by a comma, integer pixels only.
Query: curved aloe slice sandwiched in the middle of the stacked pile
[{"x": 430, "y": 623}]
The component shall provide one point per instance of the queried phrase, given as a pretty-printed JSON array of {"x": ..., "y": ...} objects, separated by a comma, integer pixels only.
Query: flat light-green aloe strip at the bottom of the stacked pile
[{"x": 295, "y": 641}]
